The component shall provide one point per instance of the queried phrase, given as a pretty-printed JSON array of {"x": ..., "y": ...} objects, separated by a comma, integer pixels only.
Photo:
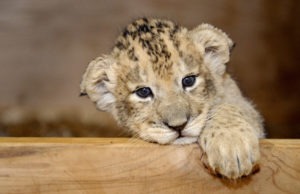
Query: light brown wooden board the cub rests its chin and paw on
[{"x": 97, "y": 165}]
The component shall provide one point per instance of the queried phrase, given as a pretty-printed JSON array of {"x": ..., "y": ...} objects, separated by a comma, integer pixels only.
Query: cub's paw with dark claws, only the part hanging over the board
[{"x": 231, "y": 155}]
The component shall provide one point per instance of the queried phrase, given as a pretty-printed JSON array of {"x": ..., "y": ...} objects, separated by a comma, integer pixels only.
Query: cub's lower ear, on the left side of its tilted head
[{"x": 97, "y": 83}]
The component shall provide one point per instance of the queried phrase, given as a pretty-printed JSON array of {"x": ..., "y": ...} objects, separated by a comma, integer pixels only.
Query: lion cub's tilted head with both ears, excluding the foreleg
[{"x": 160, "y": 79}]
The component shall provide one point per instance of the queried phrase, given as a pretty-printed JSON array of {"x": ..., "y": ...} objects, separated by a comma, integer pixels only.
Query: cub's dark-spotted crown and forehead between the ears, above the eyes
[{"x": 152, "y": 44}]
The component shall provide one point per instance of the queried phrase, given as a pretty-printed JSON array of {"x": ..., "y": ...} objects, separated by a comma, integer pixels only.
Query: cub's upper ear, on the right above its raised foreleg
[{"x": 214, "y": 44}]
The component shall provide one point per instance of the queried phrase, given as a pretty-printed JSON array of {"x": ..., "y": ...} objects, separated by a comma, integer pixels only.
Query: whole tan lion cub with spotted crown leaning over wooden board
[{"x": 169, "y": 85}]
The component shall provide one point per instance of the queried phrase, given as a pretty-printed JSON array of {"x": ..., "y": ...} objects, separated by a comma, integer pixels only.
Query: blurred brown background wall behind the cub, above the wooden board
[{"x": 46, "y": 45}]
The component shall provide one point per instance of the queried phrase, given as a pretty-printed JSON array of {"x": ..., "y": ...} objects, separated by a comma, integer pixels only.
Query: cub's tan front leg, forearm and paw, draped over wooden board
[{"x": 230, "y": 142}]
